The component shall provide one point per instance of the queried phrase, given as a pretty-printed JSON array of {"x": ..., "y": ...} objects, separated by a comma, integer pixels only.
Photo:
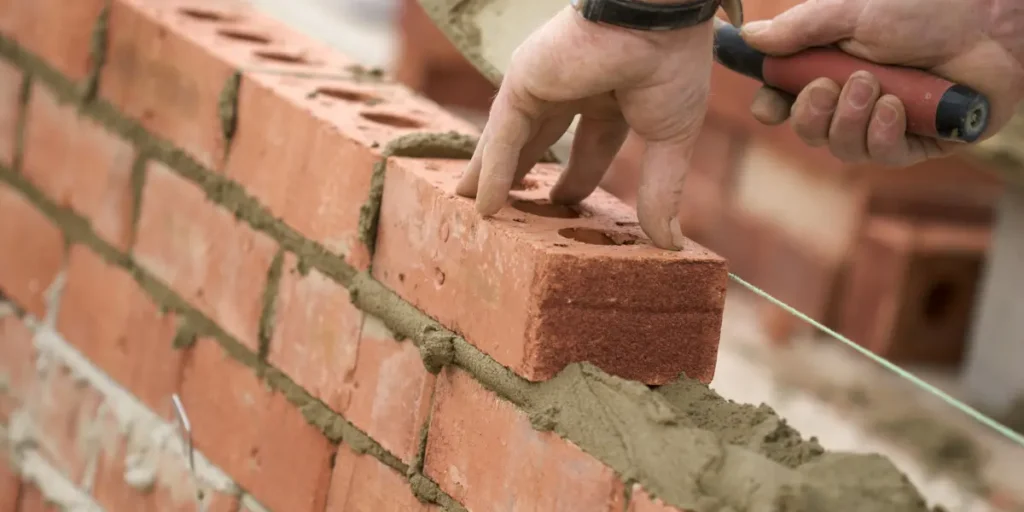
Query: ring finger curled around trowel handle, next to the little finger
[{"x": 848, "y": 134}]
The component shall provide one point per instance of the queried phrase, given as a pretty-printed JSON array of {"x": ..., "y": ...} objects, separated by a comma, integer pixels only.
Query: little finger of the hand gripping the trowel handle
[{"x": 888, "y": 143}]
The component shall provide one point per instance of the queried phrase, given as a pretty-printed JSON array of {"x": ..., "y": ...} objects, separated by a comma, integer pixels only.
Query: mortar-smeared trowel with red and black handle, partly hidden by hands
[{"x": 488, "y": 32}]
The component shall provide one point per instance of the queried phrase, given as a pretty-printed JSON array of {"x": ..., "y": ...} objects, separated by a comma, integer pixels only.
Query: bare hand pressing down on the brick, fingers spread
[{"x": 655, "y": 82}]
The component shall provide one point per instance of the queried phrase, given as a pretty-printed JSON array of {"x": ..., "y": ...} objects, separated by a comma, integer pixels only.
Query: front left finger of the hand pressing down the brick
[{"x": 510, "y": 131}]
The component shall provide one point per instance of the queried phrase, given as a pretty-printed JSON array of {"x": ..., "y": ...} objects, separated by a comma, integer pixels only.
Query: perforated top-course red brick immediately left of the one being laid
[{"x": 316, "y": 130}]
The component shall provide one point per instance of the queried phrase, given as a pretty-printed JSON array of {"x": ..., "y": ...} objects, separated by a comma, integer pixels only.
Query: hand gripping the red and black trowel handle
[{"x": 962, "y": 40}]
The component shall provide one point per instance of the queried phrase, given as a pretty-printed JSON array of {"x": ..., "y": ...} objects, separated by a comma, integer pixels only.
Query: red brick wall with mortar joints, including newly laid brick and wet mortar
[{"x": 199, "y": 203}]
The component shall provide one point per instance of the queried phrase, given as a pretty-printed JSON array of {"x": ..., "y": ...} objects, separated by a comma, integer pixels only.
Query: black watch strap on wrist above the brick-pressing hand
[{"x": 648, "y": 17}]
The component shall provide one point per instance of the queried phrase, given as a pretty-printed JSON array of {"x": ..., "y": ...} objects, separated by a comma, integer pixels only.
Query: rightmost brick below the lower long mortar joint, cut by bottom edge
[{"x": 362, "y": 484}]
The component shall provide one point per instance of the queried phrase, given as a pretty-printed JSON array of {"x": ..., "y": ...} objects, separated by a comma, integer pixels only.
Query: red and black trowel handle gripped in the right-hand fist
[{"x": 935, "y": 107}]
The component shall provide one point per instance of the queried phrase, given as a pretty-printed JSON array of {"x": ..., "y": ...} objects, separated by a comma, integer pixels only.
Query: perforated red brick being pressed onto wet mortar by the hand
[{"x": 537, "y": 301}]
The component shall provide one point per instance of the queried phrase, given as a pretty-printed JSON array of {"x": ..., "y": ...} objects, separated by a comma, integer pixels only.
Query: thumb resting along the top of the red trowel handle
[{"x": 815, "y": 23}]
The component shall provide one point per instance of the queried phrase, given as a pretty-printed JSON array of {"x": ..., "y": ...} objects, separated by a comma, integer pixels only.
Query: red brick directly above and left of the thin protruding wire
[{"x": 114, "y": 323}]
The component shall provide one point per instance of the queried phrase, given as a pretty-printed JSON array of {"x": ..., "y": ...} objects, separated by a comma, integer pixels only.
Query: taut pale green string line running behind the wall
[{"x": 917, "y": 381}]
